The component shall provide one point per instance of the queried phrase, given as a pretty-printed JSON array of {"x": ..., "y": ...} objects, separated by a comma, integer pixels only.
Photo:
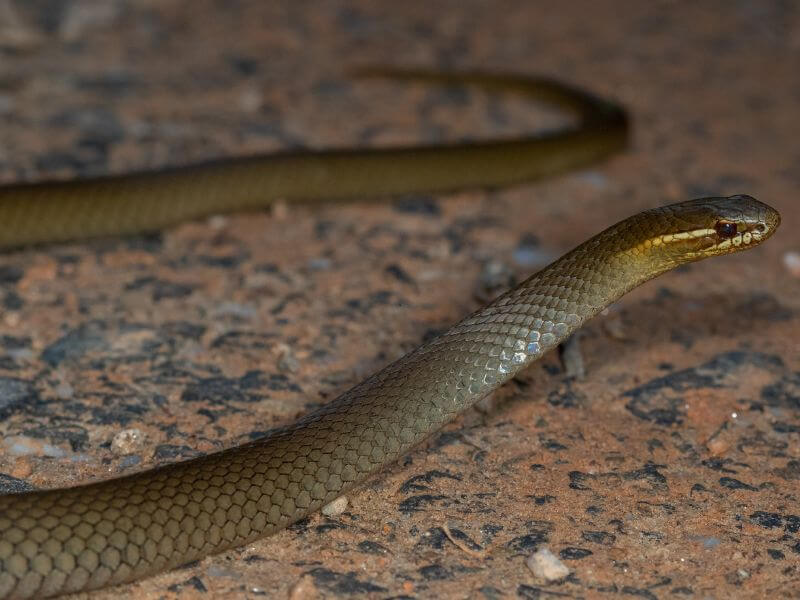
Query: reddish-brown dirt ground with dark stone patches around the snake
[{"x": 671, "y": 470}]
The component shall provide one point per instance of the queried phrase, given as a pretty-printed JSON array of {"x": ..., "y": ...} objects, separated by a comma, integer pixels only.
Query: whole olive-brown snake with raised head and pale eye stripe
[{"x": 109, "y": 532}]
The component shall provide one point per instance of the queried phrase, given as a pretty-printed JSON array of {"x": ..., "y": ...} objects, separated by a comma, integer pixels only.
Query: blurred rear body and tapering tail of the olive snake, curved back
[{"x": 142, "y": 202}]
